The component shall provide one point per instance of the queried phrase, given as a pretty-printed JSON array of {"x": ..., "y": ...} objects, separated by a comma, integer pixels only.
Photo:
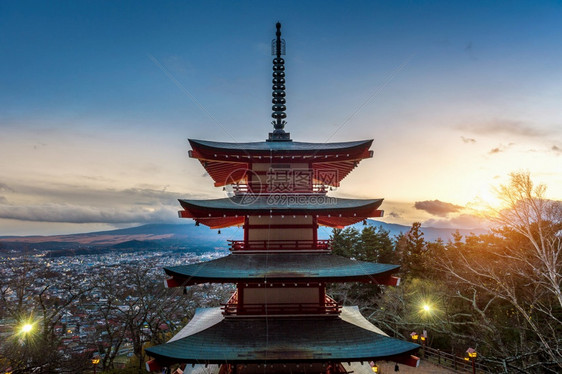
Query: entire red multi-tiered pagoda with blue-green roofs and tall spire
[{"x": 280, "y": 319}]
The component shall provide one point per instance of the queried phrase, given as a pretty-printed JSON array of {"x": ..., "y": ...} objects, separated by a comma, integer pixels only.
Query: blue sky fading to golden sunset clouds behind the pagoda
[{"x": 98, "y": 98}]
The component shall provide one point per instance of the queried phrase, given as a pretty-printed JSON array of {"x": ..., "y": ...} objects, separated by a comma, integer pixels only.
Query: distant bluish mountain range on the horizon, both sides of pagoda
[{"x": 181, "y": 236}]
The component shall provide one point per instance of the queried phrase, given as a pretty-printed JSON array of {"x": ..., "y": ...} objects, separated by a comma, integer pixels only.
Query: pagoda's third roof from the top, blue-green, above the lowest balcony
[{"x": 259, "y": 267}]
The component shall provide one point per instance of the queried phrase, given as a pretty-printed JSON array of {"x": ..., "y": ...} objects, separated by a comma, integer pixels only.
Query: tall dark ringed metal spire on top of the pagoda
[{"x": 279, "y": 115}]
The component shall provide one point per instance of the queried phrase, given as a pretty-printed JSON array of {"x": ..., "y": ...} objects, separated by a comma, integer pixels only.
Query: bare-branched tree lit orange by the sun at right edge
[{"x": 516, "y": 271}]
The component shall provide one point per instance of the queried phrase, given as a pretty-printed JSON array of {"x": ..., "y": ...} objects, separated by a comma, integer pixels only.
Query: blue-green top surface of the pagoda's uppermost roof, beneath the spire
[{"x": 287, "y": 146}]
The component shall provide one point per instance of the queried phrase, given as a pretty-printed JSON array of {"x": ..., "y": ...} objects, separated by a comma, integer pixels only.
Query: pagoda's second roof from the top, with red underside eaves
[{"x": 330, "y": 211}]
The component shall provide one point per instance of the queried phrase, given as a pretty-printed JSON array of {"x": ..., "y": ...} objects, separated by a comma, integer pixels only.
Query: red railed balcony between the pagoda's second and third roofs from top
[{"x": 280, "y": 245}]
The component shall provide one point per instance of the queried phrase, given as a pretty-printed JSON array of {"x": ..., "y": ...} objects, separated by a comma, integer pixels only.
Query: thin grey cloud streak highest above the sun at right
[{"x": 506, "y": 126}]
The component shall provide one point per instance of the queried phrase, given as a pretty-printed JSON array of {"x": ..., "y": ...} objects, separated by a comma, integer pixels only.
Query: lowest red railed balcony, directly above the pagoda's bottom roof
[{"x": 234, "y": 308}]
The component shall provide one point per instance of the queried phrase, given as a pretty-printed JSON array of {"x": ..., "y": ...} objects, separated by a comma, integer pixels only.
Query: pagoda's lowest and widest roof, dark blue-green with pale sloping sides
[{"x": 211, "y": 338}]
